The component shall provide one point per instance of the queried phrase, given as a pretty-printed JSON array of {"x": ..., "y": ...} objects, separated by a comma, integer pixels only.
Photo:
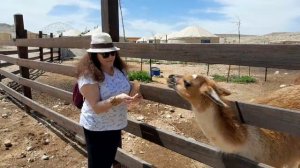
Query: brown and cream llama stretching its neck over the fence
[{"x": 221, "y": 126}]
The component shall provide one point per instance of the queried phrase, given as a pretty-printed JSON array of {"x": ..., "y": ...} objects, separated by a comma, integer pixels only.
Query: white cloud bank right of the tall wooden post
[{"x": 256, "y": 17}]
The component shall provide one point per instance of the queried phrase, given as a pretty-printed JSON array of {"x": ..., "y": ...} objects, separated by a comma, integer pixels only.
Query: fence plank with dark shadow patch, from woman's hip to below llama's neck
[{"x": 187, "y": 147}]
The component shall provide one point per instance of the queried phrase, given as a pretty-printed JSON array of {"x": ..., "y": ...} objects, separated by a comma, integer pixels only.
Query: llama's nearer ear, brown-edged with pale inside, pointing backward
[{"x": 212, "y": 94}]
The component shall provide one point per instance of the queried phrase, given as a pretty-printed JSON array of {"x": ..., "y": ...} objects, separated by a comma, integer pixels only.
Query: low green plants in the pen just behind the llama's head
[{"x": 235, "y": 79}]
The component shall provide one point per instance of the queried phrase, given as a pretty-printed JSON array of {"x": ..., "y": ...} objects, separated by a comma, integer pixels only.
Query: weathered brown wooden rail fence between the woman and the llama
[{"x": 275, "y": 56}]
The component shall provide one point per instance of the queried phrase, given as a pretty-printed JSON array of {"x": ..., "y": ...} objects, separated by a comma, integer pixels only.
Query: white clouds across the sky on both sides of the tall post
[{"x": 256, "y": 16}]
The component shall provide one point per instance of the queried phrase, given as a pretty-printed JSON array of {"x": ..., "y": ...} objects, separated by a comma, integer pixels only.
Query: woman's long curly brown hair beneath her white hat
[{"x": 90, "y": 65}]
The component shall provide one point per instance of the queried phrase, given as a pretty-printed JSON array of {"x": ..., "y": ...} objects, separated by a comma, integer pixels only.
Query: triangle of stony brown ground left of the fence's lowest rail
[{"x": 32, "y": 143}]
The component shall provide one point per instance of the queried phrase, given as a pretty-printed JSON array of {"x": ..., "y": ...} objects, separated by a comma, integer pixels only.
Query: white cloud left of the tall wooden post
[{"x": 35, "y": 13}]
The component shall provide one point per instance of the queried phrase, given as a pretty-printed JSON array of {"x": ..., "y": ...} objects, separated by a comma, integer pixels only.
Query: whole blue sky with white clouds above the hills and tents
[{"x": 149, "y": 17}]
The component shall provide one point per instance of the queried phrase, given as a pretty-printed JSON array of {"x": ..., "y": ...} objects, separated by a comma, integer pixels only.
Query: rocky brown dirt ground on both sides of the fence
[{"x": 25, "y": 142}]
